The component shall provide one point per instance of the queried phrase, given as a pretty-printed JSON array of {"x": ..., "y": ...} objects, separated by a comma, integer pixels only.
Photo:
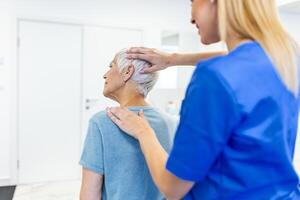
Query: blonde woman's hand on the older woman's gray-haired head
[{"x": 159, "y": 60}]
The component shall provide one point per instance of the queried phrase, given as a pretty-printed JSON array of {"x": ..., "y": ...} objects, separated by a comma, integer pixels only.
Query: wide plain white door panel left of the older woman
[{"x": 50, "y": 57}]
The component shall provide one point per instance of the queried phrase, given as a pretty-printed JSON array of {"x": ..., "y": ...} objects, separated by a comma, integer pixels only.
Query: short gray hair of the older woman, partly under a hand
[{"x": 144, "y": 82}]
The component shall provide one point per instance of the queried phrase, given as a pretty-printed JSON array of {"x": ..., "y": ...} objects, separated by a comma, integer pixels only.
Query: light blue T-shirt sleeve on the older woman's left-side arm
[{"x": 92, "y": 155}]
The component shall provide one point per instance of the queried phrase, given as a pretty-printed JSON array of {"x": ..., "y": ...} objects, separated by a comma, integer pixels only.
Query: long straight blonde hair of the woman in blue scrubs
[{"x": 258, "y": 20}]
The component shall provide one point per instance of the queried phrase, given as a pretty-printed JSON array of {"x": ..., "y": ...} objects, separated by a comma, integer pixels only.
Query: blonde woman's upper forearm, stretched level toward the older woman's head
[{"x": 193, "y": 59}]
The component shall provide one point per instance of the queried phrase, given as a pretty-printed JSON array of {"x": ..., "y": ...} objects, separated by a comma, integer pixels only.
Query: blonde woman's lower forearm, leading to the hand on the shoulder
[{"x": 156, "y": 158}]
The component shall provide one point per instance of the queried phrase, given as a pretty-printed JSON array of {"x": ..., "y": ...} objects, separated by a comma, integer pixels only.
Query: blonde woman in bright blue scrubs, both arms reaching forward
[{"x": 238, "y": 120}]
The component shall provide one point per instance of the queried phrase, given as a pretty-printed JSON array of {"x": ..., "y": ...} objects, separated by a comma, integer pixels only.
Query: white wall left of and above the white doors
[{"x": 151, "y": 16}]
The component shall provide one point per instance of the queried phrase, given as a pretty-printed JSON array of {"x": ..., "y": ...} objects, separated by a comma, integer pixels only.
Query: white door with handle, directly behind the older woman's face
[{"x": 100, "y": 46}]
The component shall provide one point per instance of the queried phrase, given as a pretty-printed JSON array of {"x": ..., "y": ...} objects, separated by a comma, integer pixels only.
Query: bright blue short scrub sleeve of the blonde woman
[{"x": 207, "y": 117}]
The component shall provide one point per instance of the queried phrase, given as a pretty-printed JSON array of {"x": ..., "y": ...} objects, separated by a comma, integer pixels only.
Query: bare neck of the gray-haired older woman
[{"x": 128, "y": 96}]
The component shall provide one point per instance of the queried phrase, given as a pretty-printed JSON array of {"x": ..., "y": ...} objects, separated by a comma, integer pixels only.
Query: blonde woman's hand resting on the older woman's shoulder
[{"x": 131, "y": 123}]
